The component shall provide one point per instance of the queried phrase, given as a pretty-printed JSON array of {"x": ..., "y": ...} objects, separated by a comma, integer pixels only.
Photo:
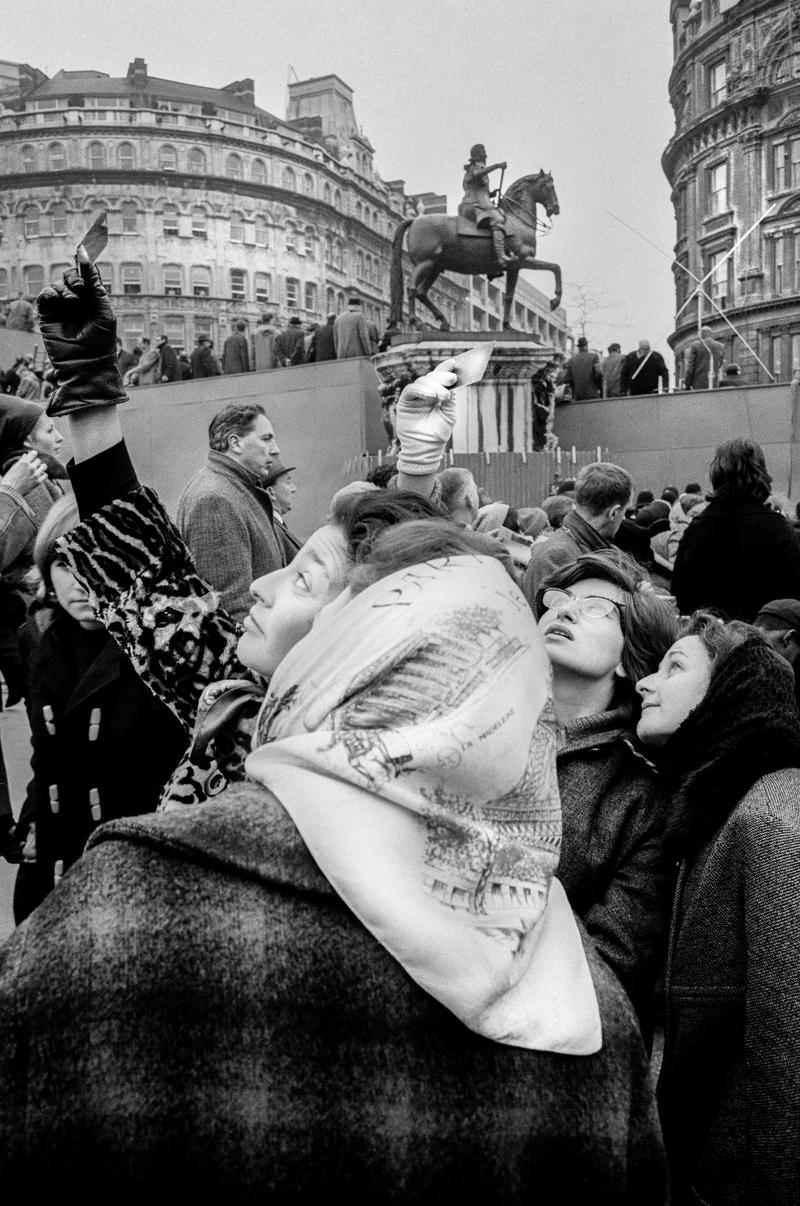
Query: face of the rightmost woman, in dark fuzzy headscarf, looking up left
[{"x": 674, "y": 692}]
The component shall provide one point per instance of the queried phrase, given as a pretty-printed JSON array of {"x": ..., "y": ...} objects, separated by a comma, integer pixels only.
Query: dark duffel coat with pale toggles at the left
[{"x": 75, "y": 677}]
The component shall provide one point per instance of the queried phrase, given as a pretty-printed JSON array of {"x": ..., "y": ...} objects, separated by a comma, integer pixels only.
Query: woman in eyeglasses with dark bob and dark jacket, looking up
[{"x": 604, "y": 629}]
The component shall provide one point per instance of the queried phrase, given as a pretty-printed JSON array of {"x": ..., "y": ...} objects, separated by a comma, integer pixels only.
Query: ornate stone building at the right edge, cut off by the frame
[{"x": 734, "y": 166}]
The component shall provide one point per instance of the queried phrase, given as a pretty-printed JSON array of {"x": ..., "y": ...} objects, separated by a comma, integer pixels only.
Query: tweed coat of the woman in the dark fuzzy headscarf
[{"x": 729, "y": 1090}]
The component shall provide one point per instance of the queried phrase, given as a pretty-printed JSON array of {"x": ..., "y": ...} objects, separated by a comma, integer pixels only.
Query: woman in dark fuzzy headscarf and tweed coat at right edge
[{"x": 721, "y": 717}]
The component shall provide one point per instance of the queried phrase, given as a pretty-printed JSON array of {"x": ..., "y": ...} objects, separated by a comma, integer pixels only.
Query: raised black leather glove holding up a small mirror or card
[{"x": 80, "y": 335}]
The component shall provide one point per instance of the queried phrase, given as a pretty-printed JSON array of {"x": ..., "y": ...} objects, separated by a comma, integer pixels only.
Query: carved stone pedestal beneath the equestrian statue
[{"x": 498, "y": 414}]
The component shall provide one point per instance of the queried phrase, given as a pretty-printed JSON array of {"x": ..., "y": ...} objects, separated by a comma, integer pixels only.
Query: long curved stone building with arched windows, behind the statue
[{"x": 218, "y": 209}]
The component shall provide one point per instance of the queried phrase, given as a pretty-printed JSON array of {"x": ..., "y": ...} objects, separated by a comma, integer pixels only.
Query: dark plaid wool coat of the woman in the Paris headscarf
[{"x": 196, "y": 1008}]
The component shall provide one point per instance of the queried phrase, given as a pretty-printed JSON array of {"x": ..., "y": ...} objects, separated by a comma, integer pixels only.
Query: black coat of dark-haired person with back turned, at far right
[{"x": 735, "y": 557}]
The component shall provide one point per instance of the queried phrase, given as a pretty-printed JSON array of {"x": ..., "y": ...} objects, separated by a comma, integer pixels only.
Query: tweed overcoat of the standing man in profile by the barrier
[{"x": 226, "y": 519}]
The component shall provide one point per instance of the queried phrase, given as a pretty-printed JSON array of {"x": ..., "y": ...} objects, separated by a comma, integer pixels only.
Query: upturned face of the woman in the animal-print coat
[{"x": 288, "y": 601}]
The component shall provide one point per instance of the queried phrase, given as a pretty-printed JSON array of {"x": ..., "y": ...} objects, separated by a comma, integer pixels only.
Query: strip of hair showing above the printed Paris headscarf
[{"x": 425, "y": 540}]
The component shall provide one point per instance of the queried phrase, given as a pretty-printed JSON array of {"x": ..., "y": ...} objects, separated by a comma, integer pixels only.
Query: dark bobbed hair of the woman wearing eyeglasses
[{"x": 650, "y": 622}]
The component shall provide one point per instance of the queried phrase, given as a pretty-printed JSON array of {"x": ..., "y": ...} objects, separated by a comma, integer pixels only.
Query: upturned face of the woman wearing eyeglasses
[{"x": 586, "y": 646}]
